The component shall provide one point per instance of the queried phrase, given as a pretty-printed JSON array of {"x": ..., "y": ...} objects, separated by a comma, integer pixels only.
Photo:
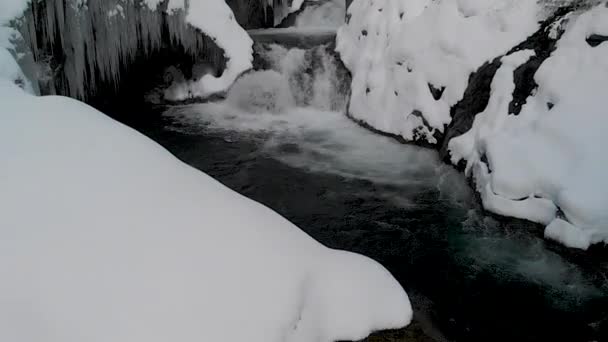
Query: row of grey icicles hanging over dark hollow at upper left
[{"x": 95, "y": 39}]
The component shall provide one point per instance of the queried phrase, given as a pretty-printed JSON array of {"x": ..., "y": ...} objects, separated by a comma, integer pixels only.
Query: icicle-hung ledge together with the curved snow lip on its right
[{"x": 123, "y": 30}]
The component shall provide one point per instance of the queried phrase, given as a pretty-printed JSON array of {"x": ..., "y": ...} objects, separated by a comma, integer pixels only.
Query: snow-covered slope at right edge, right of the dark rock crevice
[{"x": 547, "y": 164}]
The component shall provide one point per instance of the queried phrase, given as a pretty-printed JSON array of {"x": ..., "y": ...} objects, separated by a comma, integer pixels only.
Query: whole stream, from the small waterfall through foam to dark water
[{"x": 471, "y": 276}]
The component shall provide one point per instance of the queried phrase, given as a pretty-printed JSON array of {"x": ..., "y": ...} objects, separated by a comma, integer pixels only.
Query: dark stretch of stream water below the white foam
[{"x": 471, "y": 276}]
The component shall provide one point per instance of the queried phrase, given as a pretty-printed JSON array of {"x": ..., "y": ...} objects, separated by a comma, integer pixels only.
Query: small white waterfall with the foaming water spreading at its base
[{"x": 293, "y": 105}]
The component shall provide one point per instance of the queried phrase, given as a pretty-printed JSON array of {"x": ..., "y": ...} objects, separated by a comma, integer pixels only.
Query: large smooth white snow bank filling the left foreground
[{"x": 154, "y": 250}]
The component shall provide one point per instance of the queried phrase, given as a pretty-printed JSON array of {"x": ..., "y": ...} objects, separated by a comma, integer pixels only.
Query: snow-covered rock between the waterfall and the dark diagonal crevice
[{"x": 411, "y": 60}]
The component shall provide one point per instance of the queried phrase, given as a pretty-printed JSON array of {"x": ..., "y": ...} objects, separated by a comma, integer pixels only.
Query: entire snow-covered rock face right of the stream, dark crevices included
[{"x": 501, "y": 111}]
